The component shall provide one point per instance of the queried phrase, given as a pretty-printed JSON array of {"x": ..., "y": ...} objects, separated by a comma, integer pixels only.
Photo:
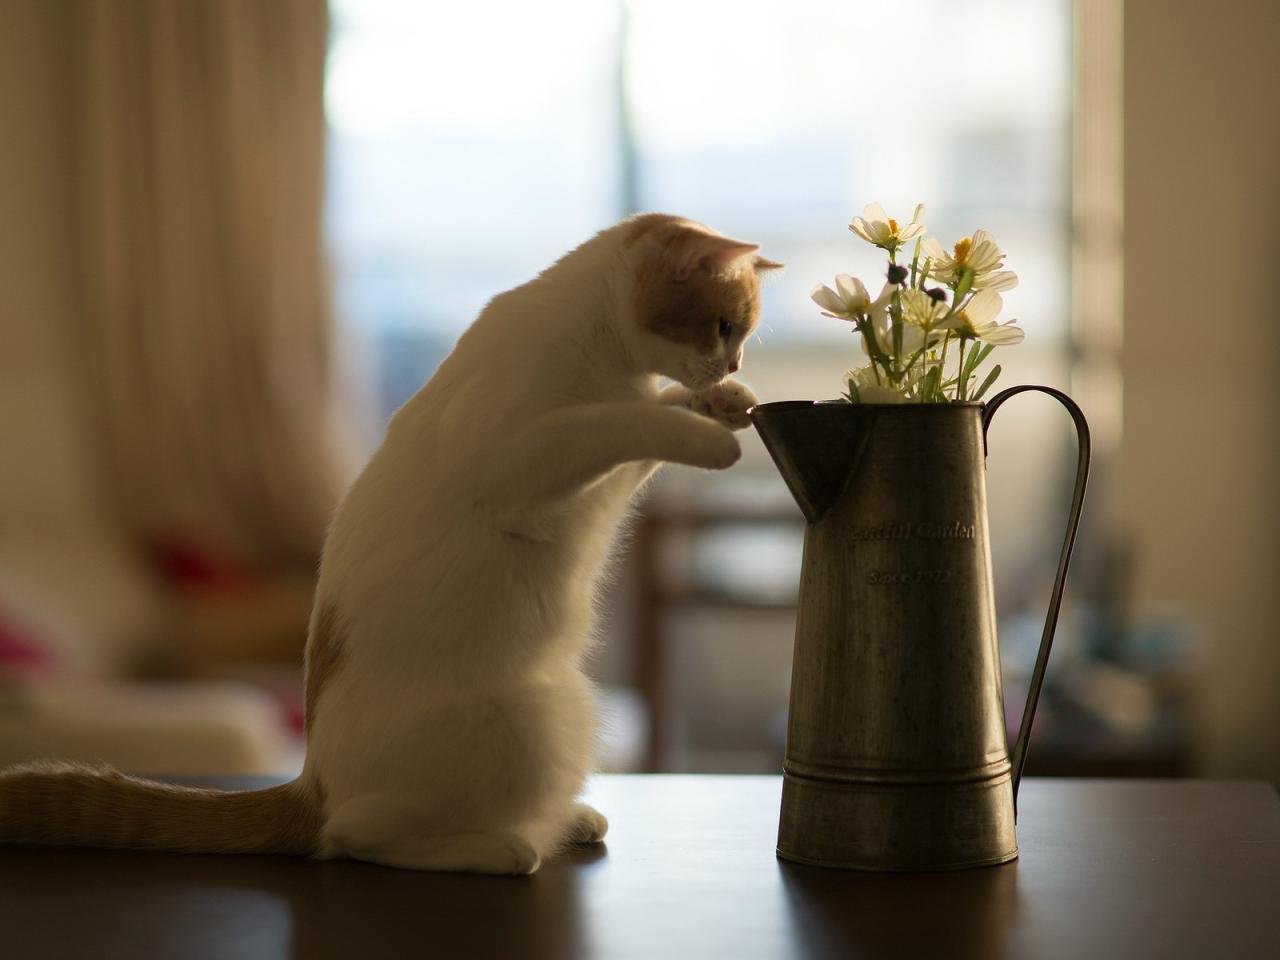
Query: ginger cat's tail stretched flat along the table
[{"x": 79, "y": 806}]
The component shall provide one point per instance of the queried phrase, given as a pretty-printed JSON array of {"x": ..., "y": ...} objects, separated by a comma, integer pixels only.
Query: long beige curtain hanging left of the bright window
[{"x": 205, "y": 305}]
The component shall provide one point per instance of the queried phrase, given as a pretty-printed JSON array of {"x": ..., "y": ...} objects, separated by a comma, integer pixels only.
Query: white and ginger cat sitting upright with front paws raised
[{"x": 450, "y": 725}]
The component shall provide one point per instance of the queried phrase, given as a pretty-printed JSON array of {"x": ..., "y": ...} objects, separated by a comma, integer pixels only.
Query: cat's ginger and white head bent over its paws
[{"x": 694, "y": 298}]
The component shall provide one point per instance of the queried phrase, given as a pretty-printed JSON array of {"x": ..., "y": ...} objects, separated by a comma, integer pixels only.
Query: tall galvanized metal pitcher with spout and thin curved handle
[{"x": 897, "y": 755}]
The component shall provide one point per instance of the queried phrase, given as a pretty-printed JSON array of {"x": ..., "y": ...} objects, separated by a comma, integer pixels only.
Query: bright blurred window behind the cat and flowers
[{"x": 473, "y": 144}]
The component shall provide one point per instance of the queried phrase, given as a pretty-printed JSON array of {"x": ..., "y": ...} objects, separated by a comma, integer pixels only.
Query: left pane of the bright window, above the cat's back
[{"x": 470, "y": 145}]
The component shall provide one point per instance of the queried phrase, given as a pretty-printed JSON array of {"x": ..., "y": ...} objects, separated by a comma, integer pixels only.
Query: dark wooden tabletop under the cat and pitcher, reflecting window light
[{"x": 1109, "y": 870}]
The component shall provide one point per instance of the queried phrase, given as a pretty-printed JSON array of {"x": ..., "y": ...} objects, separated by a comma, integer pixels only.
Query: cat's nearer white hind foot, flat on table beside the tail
[{"x": 391, "y": 833}]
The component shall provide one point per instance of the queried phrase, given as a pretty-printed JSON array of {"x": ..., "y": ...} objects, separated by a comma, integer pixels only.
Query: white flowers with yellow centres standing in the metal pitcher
[{"x": 941, "y": 305}]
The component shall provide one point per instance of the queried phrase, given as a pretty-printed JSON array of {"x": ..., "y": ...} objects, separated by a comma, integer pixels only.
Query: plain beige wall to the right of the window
[{"x": 1201, "y": 459}]
